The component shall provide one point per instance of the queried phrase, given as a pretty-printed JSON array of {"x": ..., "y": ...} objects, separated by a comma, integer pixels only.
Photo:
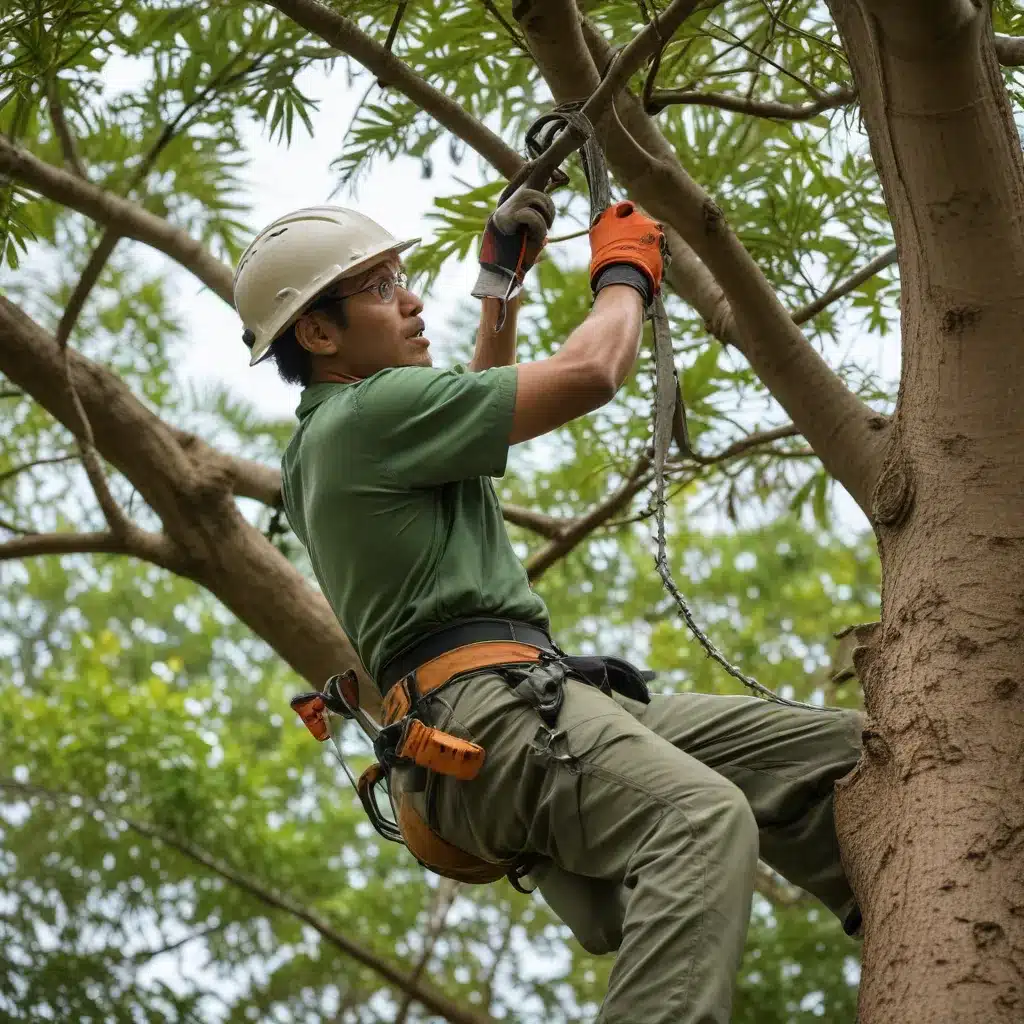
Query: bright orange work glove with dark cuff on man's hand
[{"x": 627, "y": 248}]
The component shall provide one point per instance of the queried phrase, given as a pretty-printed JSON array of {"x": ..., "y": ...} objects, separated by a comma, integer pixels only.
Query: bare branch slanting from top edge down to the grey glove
[{"x": 344, "y": 34}]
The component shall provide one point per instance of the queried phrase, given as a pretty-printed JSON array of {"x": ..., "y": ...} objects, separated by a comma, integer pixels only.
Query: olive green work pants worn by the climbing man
[{"x": 651, "y": 820}]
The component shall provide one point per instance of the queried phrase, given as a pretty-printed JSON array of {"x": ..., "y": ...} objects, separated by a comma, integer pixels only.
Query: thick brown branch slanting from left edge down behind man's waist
[{"x": 190, "y": 487}]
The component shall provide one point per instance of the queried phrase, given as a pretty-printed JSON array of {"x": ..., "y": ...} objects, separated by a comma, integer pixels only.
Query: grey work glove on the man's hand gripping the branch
[{"x": 515, "y": 236}]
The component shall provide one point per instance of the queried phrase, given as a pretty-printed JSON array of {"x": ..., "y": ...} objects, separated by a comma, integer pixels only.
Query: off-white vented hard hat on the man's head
[{"x": 295, "y": 259}]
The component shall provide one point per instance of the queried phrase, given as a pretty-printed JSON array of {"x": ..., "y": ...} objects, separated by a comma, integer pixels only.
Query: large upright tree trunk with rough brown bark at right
[{"x": 932, "y": 822}]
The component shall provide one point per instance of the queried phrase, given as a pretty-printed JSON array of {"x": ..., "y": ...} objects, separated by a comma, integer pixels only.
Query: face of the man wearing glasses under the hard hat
[{"x": 383, "y": 327}]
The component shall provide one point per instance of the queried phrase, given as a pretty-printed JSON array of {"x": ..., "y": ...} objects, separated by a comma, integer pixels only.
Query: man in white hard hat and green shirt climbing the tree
[{"x": 641, "y": 818}]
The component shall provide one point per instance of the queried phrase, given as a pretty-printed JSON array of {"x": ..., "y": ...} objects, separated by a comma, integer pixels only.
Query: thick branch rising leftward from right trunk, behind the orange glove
[{"x": 711, "y": 270}]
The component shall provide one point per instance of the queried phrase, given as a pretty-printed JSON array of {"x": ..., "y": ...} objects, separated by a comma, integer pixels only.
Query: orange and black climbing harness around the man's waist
[{"x": 534, "y": 668}]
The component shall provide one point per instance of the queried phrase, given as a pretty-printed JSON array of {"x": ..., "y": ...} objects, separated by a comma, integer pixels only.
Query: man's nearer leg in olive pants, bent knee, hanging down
[{"x": 609, "y": 801}]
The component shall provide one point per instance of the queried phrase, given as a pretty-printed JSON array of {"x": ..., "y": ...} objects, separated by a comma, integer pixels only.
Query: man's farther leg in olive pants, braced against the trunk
[{"x": 786, "y": 761}]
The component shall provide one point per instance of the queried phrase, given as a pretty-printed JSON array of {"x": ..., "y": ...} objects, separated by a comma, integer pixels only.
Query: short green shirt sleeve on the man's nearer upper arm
[{"x": 434, "y": 426}]
